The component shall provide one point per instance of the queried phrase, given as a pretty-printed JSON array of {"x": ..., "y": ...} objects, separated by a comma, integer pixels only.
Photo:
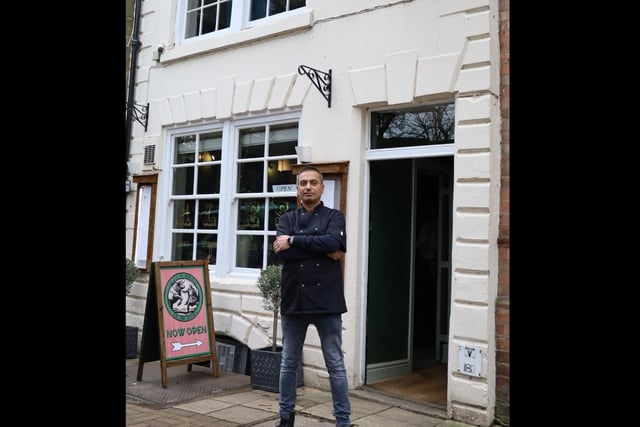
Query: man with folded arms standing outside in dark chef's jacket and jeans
[{"x": 310, "y": 242}]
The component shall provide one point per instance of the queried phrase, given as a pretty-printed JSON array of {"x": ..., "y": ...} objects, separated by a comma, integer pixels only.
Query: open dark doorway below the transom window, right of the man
[{"x": 409, "y": 276}]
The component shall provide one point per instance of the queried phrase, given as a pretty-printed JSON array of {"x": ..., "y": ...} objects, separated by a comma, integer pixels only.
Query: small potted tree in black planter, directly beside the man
[{"x": 265, "y": 361}]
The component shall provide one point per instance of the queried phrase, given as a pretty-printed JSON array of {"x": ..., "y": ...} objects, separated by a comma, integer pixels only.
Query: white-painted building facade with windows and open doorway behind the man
[{"x": 402, "y": 105}]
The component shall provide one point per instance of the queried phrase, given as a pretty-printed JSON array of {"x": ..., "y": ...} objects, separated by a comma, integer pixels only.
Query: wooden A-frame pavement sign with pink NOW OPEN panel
[{"x": 178, "y": 324}]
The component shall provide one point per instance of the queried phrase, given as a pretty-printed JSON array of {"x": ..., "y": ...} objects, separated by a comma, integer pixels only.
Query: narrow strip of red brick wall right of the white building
[{"x": 502, "y": 302}]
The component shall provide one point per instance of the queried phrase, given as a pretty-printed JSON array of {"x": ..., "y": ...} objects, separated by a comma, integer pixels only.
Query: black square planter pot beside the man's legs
[{"x": 265, "y": 369}]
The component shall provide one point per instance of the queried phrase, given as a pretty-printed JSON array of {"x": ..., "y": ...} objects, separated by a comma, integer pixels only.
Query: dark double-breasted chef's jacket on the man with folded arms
[{"x": 312, "y": 283}]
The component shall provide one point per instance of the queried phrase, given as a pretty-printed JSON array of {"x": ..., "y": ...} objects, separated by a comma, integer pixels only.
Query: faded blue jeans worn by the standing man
[{"x": 294, "y": 331}]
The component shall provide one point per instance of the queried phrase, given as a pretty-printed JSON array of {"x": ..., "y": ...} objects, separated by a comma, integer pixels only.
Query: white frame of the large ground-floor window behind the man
[{"x": 228, "y": 198}]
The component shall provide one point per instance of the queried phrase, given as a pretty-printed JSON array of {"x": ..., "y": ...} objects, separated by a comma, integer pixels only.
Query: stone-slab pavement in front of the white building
[{"x": 195, "y": 398}]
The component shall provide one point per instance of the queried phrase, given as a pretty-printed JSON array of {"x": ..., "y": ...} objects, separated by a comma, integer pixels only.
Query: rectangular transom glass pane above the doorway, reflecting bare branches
[{"x": 425, "y": 126}]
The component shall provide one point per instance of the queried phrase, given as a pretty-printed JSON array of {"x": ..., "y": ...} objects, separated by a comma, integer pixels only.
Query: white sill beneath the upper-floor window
[{"x": 225, "y": 40}]
